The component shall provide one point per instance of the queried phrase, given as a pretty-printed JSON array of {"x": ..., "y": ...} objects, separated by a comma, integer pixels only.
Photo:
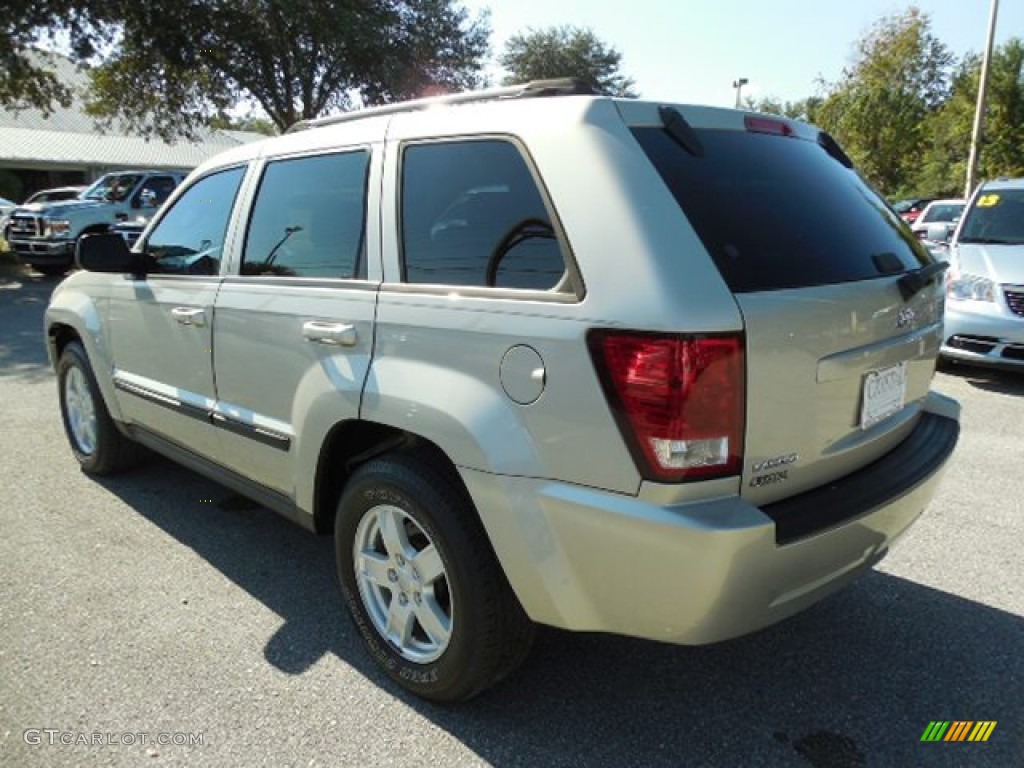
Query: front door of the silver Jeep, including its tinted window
[{"x": 161, "y": 325}]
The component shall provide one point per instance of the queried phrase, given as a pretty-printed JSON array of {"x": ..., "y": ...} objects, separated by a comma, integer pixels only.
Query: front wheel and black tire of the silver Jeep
[{"x": 102, "y": 450}]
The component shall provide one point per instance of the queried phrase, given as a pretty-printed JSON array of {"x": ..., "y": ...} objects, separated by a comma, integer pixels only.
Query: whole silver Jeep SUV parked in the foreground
[{"x": 534, "y": 357}]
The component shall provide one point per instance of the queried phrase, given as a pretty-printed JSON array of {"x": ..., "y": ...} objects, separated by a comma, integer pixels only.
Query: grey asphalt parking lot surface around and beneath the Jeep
[{"x": 157, "y": 607}]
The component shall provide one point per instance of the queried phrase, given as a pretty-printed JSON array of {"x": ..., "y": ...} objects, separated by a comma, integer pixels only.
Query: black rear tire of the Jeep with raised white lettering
[{"x": 490, "y": 633}]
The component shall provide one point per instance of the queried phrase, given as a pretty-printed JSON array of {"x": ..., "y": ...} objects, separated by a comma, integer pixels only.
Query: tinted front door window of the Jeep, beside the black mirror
[{"x": 189, "y": 240}]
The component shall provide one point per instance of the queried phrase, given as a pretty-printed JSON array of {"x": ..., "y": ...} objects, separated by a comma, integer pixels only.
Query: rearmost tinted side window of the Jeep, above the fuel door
[{"x": 474, "y": 216}]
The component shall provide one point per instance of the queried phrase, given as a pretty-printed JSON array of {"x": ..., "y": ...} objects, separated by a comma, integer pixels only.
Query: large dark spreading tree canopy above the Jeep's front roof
[{"x": 179, "y": 63}]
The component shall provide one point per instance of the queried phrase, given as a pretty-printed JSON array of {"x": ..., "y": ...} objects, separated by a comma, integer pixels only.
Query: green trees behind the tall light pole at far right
[{"x": 944, "y": 165}]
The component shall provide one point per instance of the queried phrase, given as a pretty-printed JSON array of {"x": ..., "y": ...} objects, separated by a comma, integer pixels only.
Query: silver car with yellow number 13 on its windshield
[{"x": 986, "y": 300}]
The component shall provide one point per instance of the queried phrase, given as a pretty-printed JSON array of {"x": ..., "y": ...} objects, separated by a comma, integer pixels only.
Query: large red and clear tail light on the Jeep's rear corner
[{"x": 679, "y": 401}]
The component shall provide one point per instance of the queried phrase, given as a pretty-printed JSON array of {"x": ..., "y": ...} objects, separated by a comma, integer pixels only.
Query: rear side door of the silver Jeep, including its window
[{"x": 294, "y": 326}]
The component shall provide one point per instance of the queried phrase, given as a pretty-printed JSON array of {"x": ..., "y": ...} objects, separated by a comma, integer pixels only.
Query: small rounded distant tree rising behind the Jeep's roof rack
[{"x": 565, "y": 52}]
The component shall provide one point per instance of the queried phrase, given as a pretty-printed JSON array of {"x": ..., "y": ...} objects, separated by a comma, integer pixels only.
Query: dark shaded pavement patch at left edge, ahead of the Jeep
[{"x": 23, "y": 300}]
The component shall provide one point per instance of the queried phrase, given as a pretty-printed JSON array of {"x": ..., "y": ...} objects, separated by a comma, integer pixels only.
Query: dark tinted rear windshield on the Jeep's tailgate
[{"x": 779, "y": 212}]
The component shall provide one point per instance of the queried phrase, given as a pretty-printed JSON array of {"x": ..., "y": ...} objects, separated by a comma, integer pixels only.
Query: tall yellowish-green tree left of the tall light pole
[{"x": 879, "y": 108}]
